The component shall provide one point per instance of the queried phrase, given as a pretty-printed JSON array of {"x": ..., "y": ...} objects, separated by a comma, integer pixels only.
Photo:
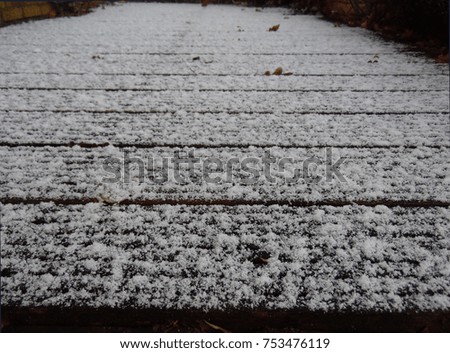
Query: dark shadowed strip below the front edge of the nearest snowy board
[{"x": 85, "y": 319}]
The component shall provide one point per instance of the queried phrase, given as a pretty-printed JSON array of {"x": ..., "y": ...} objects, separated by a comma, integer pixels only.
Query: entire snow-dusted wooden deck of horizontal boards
[{"x": 146, "y": 81}]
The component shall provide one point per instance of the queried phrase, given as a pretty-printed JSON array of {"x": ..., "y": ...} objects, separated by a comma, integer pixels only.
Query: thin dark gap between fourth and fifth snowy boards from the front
[{"x": 143, "y": 89}]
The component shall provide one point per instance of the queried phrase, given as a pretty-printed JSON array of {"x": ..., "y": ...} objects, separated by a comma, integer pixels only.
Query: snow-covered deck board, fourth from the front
[{"x": 199, "y": 101}]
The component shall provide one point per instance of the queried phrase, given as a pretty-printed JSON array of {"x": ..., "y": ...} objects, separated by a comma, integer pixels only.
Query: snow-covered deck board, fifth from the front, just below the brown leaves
[{"x": 230, "y": 81}]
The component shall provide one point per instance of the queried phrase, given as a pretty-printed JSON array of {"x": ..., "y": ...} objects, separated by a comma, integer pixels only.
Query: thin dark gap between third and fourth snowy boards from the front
[{"x": 230, "y": 112}]
